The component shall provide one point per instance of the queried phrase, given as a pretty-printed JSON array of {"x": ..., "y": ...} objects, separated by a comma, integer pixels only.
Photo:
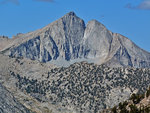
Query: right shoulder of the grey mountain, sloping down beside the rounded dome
[{"x": 124, "y": 52}]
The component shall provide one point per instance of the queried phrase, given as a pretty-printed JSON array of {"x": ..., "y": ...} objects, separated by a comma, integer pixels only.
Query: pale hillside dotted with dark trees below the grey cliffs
[{"x": 81, "y": 87}]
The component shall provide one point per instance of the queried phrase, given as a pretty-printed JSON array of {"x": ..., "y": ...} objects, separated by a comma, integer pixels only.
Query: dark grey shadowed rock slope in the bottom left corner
[{"x": 8, "y": 104}]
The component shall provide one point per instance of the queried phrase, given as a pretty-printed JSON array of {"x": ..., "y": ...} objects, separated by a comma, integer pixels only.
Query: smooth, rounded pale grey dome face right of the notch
[{"x": 97, "y": 41}]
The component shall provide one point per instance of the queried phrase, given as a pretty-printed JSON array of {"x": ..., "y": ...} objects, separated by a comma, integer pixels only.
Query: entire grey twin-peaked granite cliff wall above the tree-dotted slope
[{"x": 68, "y": 40}]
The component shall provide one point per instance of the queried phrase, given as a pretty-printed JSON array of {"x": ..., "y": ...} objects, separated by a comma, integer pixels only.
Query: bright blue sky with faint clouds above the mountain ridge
[{"x": 130, "y": 18}]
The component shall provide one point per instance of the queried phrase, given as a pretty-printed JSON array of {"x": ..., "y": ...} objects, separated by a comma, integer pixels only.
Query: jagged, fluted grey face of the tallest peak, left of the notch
[{"x": 60, "y": 39}]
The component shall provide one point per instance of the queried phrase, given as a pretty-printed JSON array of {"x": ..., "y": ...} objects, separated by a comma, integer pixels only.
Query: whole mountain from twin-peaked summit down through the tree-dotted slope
[{"x": 68, "y": 66}]
